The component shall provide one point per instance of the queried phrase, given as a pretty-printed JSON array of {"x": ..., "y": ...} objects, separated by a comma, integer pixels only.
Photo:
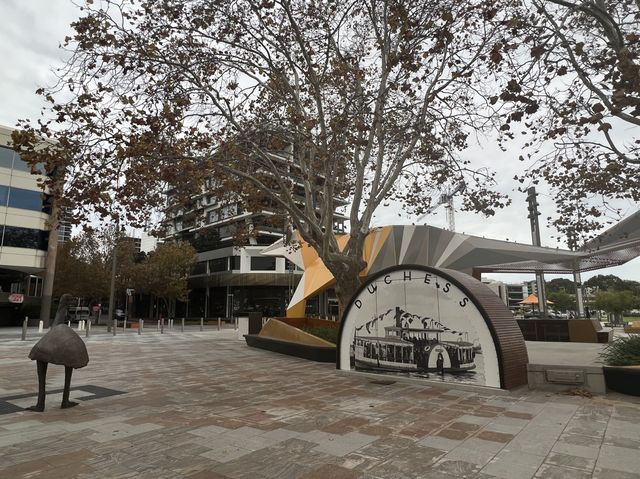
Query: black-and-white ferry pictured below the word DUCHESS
[{"x": 415, "y": 344}]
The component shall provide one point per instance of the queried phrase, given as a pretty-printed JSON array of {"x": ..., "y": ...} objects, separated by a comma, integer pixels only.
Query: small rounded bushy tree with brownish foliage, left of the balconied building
[{"x": 164, "y": 273}]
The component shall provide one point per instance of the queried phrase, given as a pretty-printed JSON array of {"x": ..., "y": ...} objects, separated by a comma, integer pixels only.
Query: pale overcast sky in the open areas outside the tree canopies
[{"x": 33, "y": 29}]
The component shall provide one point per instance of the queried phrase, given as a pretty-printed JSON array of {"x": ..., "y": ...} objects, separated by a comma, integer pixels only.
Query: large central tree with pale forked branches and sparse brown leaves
[{"x": 365, "y": 101}]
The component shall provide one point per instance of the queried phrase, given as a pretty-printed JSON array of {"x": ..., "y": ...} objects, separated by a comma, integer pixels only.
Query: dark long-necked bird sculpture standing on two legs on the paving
[{"x": 61, "y": 345}]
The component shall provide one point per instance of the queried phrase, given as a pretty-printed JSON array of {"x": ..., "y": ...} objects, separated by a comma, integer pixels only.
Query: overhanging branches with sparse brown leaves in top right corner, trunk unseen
[{"x": 573, "y": 81}]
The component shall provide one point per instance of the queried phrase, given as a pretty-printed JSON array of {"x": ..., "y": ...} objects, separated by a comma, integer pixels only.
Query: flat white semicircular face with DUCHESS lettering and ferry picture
[{"x": 417, "y": 323}]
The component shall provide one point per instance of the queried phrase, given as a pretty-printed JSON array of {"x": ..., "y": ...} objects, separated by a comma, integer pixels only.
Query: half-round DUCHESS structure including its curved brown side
[{"x": 433, "y": 323}]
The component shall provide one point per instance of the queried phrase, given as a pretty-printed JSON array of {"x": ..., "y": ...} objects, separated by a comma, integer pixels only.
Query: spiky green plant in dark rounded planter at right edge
[{"x": 622, "y": 364}]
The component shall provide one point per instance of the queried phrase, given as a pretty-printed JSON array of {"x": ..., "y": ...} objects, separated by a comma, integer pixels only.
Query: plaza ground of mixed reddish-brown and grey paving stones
[{"x": 204, "y": 405}]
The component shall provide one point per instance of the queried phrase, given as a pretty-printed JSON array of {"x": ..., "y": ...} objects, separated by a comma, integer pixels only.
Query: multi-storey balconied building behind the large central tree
[{"x": 231, "y": 276}]
